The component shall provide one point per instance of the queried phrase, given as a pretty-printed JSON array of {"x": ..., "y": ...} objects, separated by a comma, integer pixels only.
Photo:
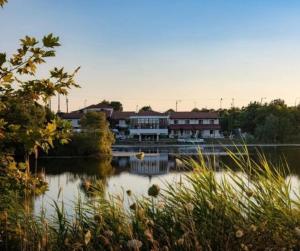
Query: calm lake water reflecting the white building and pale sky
[{"x": 125, "y": 171}]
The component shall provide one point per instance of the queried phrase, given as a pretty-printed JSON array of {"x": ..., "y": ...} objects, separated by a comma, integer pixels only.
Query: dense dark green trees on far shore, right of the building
[{"x": 273, "y": 122}]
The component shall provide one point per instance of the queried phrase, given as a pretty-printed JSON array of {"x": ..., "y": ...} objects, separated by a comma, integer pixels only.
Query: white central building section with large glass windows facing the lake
[{"x": 148, "y": 125}]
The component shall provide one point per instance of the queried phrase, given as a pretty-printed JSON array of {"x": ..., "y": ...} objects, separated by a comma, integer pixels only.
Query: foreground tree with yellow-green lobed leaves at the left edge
[{"x": 24, "y": 97}]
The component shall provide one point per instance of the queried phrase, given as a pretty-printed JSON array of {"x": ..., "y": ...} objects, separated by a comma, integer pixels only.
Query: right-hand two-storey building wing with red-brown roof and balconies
[{"x": 194, "y": 125}]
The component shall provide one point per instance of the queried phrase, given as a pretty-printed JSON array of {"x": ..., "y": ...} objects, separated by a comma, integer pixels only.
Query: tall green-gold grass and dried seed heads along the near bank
[{"x": 251, "y": 208}]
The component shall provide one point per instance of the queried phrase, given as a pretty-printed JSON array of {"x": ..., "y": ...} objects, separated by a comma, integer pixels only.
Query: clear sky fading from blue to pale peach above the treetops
[{"x": 154, "y": 52}]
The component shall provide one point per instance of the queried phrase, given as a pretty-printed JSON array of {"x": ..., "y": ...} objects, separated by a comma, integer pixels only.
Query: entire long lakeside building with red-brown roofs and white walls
[{"x": 151, "y": 125}]
